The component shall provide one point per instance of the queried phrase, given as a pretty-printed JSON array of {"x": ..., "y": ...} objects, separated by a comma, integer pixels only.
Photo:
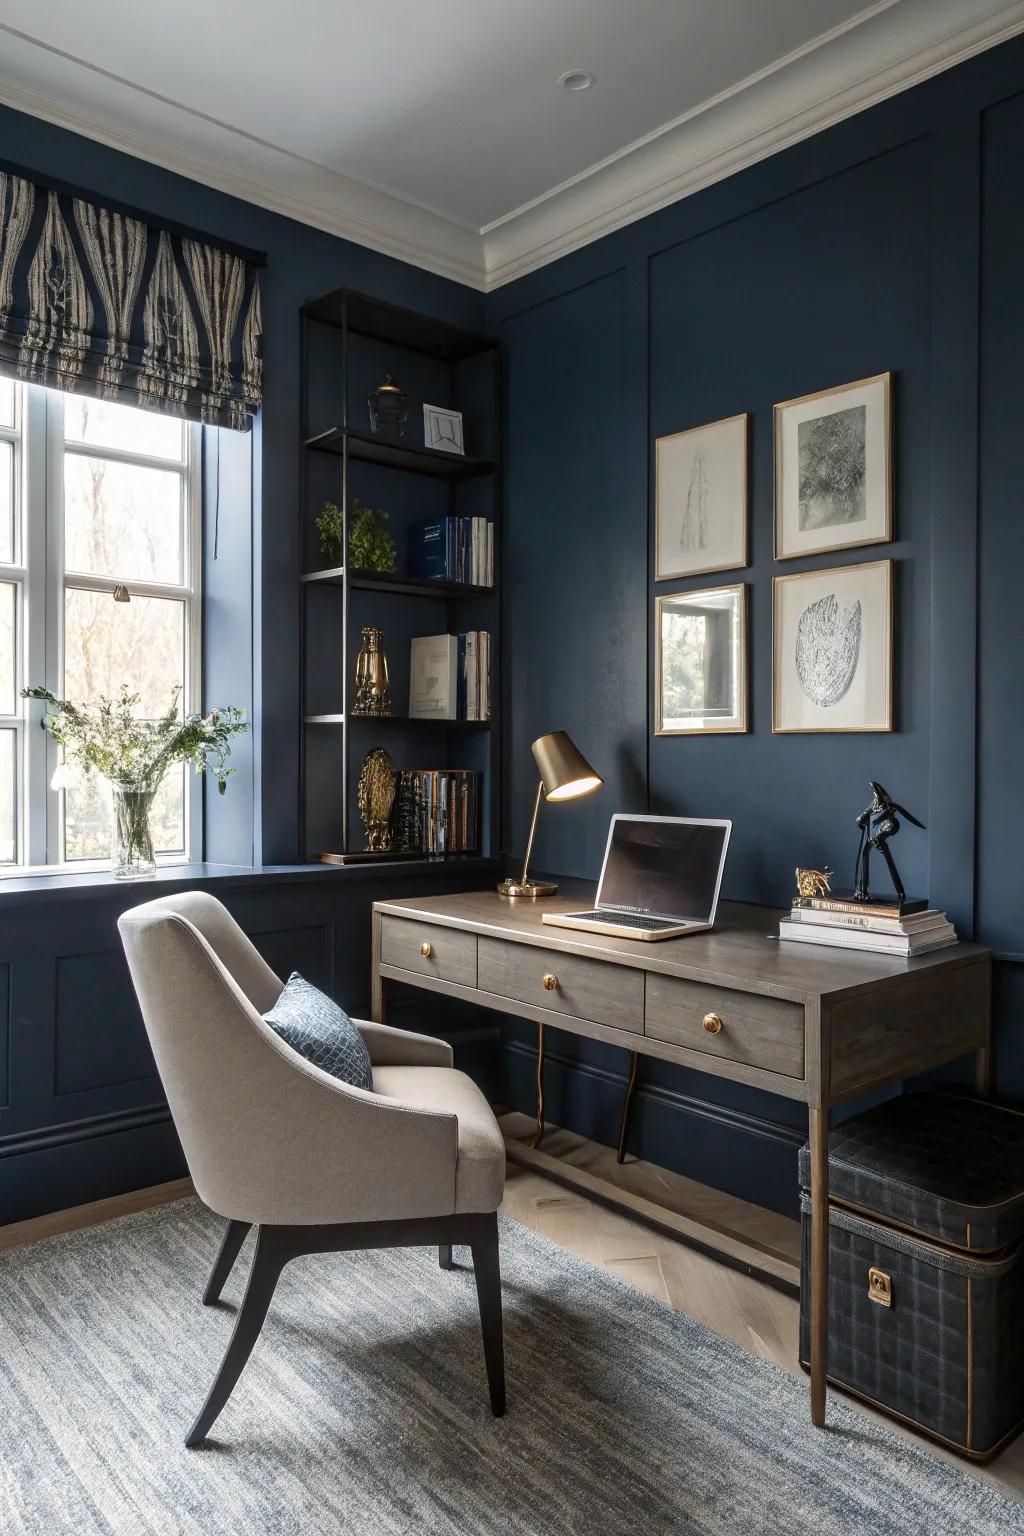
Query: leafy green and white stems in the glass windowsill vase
[{"x": 111, "y": 740}]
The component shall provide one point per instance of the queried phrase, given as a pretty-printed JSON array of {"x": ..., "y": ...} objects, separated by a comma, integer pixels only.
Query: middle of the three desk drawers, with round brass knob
[{"x": 607, "y": 995}]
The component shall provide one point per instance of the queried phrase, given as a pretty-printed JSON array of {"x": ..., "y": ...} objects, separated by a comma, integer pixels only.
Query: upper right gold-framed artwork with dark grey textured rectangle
[{"x": 834, "y": 469}]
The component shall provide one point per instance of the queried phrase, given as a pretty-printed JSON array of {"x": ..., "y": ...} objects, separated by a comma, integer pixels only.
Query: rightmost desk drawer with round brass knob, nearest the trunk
[{"x": 759, "y": 1031}]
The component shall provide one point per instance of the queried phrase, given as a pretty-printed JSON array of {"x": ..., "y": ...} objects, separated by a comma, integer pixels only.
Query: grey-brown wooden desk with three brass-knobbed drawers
[{"x": 810, "y": 1024}]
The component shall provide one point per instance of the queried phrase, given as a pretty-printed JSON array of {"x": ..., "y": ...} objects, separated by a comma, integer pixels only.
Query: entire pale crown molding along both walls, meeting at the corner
[{"x": 887, "y": 48}]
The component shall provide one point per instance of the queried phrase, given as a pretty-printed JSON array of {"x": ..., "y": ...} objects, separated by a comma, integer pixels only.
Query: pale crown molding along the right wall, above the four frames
[{"x": 885, "y": 50}]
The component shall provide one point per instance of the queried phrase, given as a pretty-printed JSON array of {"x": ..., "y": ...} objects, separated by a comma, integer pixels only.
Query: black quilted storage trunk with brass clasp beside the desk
[{"x": 927, "y": 1268}]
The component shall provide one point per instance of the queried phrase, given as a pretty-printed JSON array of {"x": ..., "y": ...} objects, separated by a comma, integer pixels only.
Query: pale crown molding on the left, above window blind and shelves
[{"x": 277, "y": 180}]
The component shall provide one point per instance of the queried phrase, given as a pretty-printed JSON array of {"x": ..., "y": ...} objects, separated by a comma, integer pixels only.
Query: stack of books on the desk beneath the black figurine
[{"x": 879, "y": 927}]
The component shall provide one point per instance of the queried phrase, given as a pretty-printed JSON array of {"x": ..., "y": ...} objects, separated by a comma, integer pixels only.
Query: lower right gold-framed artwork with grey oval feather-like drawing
[{"x": 833, "y": 650}]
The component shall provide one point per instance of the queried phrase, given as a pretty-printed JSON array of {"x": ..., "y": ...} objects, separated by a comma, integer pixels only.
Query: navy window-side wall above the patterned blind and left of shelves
[{"x": 302, "y": 265}]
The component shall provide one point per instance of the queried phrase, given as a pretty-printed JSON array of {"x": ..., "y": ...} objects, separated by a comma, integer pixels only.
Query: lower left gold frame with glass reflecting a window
[{"x": 701, "y": 663}]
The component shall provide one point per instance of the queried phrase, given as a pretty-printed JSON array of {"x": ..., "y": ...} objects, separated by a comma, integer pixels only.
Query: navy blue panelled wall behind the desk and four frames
[{"x": 893, "y": 242}]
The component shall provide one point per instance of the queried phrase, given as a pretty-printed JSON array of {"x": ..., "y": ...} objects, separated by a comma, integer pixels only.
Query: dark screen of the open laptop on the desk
[{"x": 666, "y": 867}]
